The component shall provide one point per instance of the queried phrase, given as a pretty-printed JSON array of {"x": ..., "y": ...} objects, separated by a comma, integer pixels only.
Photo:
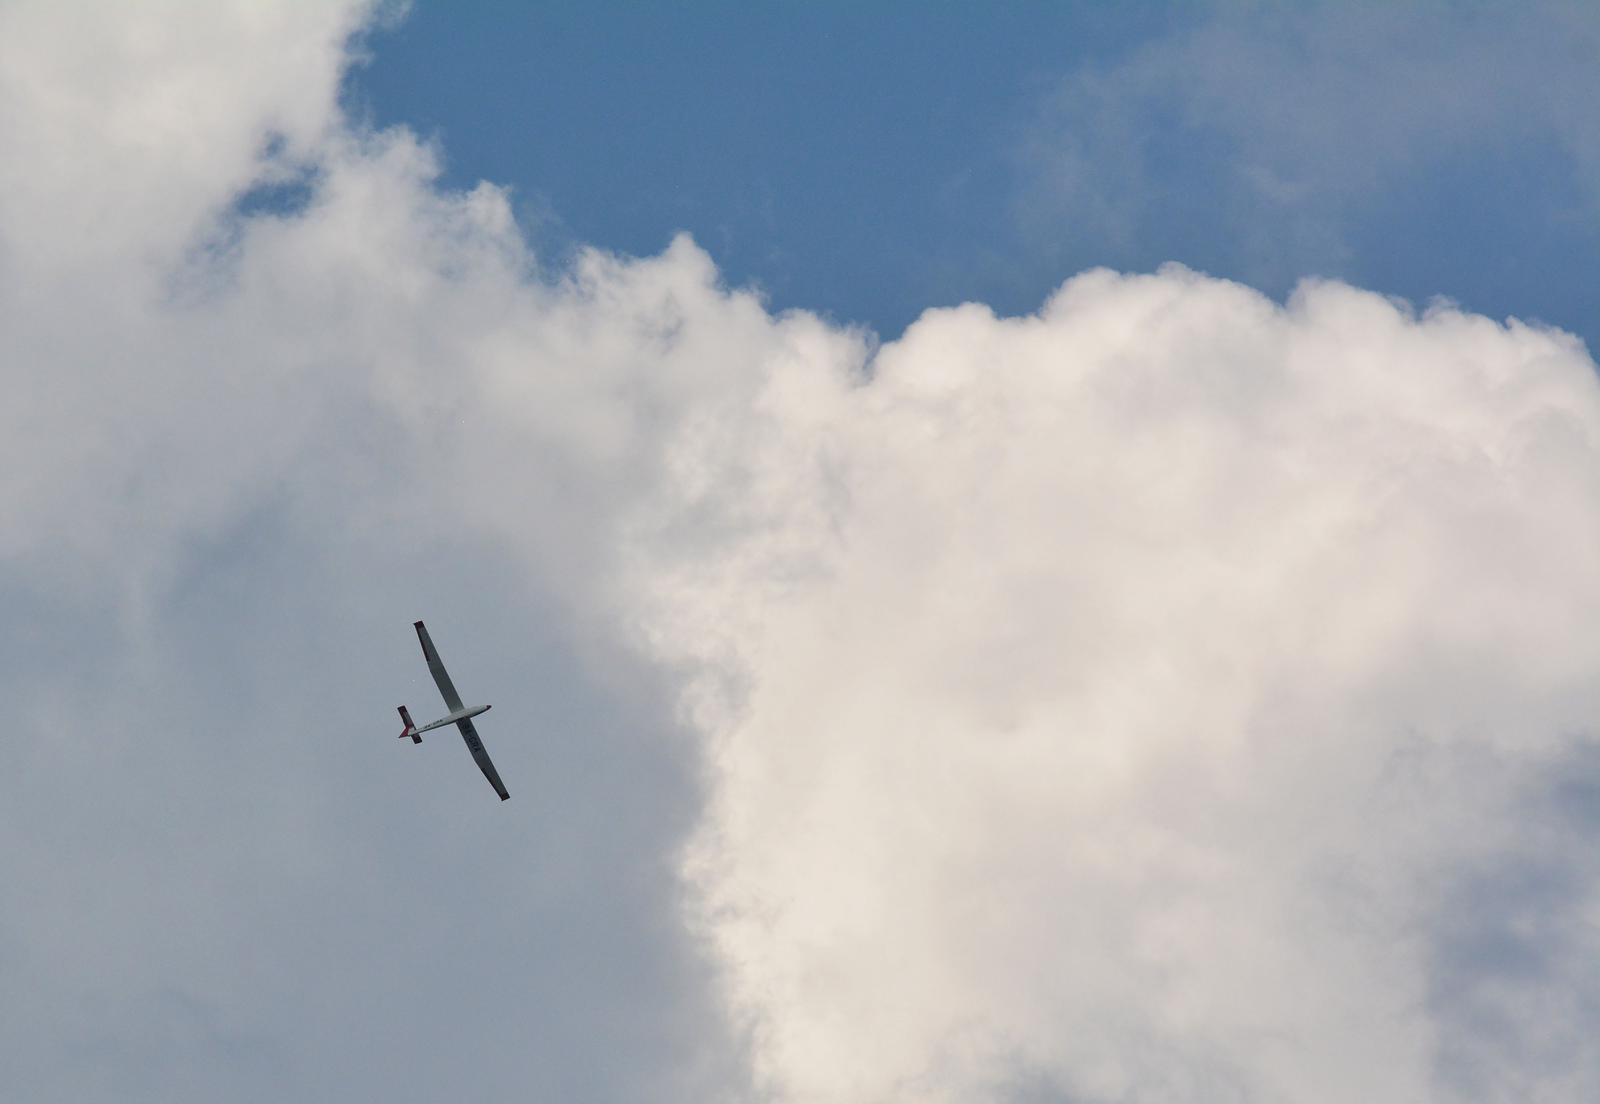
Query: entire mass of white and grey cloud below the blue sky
[{"x": 1164, "y": 697}]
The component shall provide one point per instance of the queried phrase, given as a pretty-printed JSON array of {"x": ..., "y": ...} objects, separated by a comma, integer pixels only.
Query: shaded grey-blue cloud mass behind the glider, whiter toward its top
[{"x": 244, "y": 446}]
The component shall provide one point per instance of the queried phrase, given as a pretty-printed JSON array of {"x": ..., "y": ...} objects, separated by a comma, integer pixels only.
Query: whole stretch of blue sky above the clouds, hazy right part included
[{"x": 871, "y": 161}]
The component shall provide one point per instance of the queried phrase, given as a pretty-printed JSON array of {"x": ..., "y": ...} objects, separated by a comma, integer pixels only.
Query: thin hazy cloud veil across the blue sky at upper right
[{"x": 1431, "y": 146}]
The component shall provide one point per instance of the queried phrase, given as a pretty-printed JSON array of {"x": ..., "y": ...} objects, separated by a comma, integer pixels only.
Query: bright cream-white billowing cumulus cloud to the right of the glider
[{"x": 1135, "y": 698}]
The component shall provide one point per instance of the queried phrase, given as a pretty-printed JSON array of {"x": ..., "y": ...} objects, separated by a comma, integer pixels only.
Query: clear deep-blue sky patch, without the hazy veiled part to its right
[{"x": 847, "y": 158}]
